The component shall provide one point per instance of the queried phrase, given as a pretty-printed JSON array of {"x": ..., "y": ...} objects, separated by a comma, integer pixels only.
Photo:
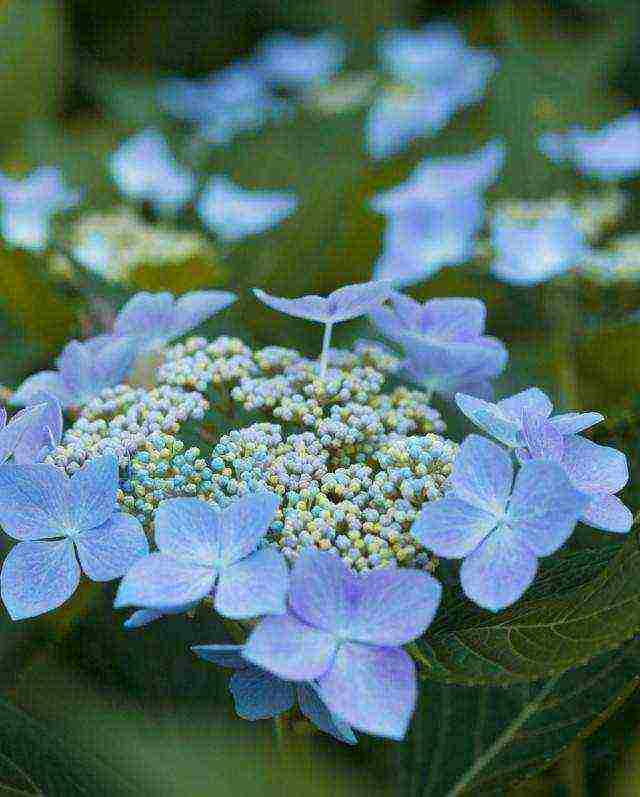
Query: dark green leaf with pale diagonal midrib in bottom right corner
[{"x": 476, "y": 740}]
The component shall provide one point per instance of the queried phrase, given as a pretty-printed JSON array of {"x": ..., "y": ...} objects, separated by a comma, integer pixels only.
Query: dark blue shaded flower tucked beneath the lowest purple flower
[{"x": 258, "y": 694}]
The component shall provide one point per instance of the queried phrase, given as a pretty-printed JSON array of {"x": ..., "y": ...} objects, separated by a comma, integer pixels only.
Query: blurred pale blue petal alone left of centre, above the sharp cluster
[{"x": 234, "y": 213}]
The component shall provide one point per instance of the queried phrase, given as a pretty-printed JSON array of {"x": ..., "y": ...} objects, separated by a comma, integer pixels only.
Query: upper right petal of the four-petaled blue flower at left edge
[{"x": 93, "y": 493}]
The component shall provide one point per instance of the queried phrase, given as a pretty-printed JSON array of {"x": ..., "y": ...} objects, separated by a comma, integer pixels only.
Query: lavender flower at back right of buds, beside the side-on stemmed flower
[{"x": 444, "y": 342}]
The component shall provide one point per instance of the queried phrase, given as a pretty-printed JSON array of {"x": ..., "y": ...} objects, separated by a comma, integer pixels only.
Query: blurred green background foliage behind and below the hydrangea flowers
[{"x": 87, "y": 708}]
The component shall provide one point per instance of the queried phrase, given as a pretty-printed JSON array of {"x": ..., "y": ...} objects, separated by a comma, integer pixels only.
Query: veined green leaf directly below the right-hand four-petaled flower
[{"x": 546, "y": 633}]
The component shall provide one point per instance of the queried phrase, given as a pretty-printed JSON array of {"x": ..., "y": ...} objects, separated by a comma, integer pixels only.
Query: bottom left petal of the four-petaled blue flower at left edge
[{"x": 38, "y": 576}]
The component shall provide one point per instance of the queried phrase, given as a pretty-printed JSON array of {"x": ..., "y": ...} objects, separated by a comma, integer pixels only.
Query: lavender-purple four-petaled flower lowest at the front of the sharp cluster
[{"x": 344, "y": 631}]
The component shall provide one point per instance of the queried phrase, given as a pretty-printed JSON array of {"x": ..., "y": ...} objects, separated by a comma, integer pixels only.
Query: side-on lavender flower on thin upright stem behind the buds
[{"x": 343, "y": 304}]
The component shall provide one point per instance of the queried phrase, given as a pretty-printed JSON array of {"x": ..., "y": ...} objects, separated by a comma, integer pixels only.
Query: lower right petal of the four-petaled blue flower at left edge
[{"x": 108, "y": 551}]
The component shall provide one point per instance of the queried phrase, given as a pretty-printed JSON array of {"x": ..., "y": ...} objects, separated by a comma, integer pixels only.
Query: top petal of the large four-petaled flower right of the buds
[{"x": 482, "y": 474}]
